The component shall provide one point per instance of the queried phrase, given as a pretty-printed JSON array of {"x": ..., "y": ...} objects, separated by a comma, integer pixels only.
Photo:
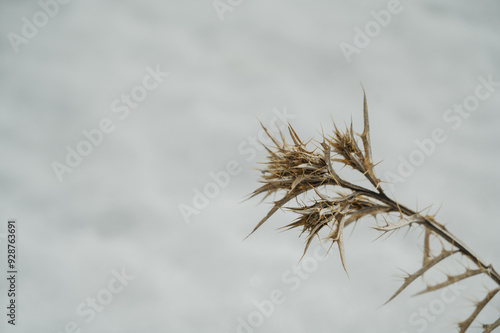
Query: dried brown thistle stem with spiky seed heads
[{"x": 294, "y": 169}]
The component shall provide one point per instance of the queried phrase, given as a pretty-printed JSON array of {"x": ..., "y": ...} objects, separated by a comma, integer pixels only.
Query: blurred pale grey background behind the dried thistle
[{"x": 103, "y": 244}]
